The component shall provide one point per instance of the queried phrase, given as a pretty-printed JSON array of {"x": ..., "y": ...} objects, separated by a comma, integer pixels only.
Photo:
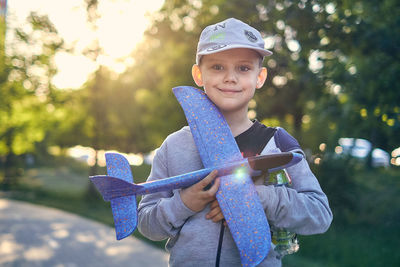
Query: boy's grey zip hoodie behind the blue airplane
[{"x": 193, "y": 240}]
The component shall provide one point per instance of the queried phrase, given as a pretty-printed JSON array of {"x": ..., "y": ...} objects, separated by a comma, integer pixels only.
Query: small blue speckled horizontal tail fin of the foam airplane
[{"x": 124, "y": 209}]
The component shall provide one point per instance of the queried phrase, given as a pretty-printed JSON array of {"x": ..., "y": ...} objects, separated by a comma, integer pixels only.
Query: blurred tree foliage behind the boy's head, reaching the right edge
[{"x": 319, "y": 82}]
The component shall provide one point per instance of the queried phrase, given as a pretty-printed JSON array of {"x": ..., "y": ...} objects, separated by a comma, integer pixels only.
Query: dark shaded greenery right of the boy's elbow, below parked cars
[{"x": 365, "y": 204}]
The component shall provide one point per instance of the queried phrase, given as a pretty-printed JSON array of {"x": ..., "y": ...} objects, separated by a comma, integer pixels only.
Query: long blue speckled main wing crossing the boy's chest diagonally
[{"x": 236, "y": 196}]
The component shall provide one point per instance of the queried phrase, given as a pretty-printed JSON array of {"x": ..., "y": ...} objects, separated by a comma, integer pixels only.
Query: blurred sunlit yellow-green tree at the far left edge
[{"x": 26, "y": 93}]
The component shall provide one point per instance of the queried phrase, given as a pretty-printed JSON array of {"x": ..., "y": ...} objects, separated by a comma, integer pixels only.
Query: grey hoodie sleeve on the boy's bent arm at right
[{"x": 302, "y": 208}]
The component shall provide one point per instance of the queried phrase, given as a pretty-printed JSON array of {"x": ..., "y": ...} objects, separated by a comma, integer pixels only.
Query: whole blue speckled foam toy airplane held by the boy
[{"x": 218, "y": 150}]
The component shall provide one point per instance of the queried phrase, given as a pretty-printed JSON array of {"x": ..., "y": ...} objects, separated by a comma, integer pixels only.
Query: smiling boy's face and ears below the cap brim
[{"x": 230, "y": 78}]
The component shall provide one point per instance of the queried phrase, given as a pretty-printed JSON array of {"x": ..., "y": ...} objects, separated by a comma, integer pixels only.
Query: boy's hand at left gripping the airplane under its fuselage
[{"x": 195, "y": 197}]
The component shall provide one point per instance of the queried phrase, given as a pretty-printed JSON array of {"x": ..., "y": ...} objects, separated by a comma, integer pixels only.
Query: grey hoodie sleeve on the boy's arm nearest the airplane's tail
[{"x": 162, "y": 214}]
